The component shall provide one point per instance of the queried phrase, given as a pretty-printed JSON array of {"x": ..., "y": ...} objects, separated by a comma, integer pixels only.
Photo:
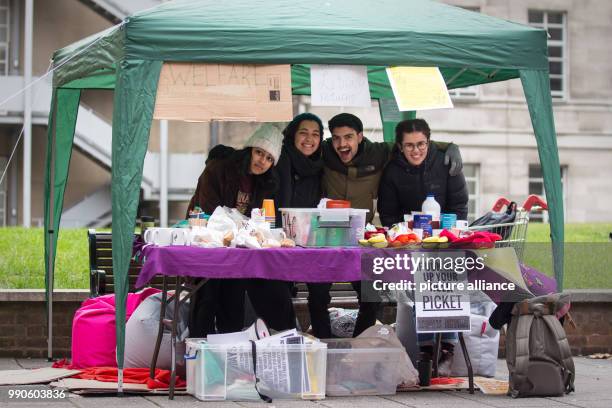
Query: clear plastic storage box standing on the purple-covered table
[{"x": 333, "y": 227}]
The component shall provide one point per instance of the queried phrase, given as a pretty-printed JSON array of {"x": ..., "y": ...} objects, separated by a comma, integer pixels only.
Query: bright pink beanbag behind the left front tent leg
[{"x": 93, "y": 329}]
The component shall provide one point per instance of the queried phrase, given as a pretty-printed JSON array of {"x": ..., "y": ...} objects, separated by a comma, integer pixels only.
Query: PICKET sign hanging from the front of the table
[{"x": 441, "y": 307}]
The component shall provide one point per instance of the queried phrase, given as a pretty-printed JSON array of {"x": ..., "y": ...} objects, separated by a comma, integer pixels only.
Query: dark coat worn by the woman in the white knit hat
[{"x": 219, "y": 182}]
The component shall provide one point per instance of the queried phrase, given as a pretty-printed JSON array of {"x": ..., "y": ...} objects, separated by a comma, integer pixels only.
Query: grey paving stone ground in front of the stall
[{"x": 593, "y": 390}]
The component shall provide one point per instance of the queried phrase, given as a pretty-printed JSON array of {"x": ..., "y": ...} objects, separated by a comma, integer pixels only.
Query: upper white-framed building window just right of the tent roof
[{"x": 555, "y": 23}]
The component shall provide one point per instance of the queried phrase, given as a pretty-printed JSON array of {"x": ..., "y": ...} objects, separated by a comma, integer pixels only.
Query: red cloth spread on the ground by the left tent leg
[{"x": 131, "y": 376}]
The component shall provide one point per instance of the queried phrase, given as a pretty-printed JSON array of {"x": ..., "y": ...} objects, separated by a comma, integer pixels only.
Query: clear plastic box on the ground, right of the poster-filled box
[{"x": 356, "y": 368}]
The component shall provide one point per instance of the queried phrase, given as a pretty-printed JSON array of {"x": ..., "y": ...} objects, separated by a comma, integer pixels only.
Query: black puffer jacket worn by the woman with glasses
[{"x": 403, "y": 187}]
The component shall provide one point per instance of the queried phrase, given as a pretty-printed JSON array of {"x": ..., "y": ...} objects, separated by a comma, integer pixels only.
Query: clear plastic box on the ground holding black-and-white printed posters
[{"x": 225, "y": 371}]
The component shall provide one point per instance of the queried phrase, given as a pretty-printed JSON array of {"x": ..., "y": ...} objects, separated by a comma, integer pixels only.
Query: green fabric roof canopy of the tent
[{"x": 413, "y": 32}]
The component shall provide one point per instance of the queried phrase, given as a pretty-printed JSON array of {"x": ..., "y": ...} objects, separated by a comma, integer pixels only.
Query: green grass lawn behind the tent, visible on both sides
[{"x": 588, "y": 256}]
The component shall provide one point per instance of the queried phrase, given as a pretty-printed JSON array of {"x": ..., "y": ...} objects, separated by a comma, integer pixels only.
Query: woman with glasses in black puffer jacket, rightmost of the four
[{"x": 418, "y": 169}]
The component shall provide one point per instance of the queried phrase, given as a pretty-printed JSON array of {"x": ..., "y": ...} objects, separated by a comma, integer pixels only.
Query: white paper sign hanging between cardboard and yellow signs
[{"x": 339, "y": 85}]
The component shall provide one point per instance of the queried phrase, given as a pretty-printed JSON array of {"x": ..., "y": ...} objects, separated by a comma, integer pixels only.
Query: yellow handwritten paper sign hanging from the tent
[{"x": 419, "y": 88}]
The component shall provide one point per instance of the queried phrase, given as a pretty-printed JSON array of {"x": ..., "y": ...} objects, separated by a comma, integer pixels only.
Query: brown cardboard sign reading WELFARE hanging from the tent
[{"x": 201, "y": 92}]
